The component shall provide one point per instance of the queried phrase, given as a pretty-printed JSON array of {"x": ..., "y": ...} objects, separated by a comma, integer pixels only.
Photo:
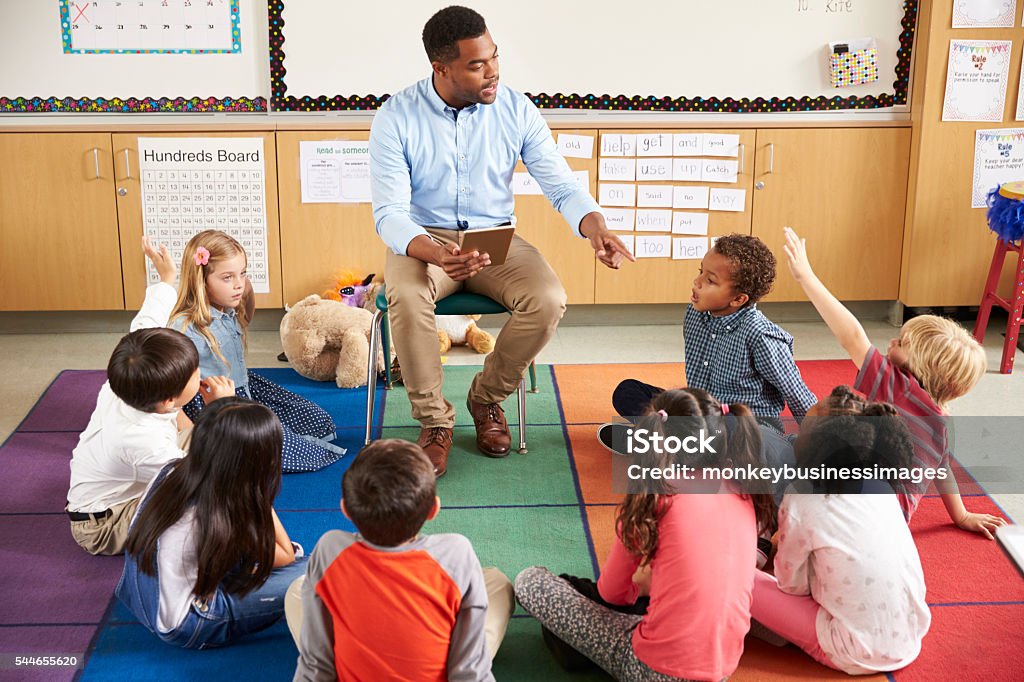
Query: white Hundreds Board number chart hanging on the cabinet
[{"x": 196, "y": 184}]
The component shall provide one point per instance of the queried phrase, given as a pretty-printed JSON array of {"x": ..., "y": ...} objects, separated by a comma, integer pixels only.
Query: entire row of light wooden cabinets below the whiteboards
[{"x": 71, "y": 220}]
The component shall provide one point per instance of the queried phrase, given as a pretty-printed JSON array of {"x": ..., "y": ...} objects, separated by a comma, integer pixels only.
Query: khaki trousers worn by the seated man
[{"x": 525, "y": 284}]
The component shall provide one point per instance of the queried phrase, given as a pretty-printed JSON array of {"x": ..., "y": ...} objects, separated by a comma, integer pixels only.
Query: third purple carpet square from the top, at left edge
[{"x": 51, "y": 578}]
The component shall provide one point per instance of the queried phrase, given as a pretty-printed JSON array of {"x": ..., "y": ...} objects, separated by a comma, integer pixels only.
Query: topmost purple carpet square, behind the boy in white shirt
[{"x": 68, "y": 404}]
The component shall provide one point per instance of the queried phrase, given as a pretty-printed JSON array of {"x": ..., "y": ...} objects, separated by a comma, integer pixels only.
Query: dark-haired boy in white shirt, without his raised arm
[{"x": 134, "y": 433}]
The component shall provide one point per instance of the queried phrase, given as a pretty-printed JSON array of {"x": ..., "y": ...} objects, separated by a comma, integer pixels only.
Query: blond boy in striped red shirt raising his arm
[{"x": 932, "y": 362}]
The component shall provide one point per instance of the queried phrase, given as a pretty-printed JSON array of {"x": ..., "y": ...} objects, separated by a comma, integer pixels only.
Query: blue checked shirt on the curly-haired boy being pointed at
[{"x": 745, "y": 358}]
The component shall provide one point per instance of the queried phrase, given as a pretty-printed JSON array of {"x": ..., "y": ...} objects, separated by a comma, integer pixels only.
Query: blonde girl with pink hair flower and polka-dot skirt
[{"x": 215, "y": 308}]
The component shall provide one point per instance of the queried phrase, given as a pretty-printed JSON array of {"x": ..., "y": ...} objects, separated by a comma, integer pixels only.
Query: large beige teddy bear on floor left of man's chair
[{"x": 326, "y": 340}]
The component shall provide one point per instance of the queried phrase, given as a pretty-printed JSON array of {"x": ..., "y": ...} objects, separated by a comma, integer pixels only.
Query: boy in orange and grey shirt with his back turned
[{"x": 390, "y": 604}]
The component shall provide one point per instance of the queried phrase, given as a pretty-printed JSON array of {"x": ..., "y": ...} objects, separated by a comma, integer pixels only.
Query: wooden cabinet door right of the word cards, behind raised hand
[{"x": 845, "y": 191}]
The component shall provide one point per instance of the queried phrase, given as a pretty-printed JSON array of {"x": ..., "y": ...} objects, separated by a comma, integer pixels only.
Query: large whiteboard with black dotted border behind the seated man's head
[{"x": 336, "y": 55}]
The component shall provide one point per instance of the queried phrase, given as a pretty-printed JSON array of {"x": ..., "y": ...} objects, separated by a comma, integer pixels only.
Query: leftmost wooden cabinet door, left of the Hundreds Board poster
[{"x": 59, "y": 224}]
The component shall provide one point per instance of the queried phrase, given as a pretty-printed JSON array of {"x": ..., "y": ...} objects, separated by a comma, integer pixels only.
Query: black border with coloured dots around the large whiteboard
[{"x": 281, "y": 101}]
